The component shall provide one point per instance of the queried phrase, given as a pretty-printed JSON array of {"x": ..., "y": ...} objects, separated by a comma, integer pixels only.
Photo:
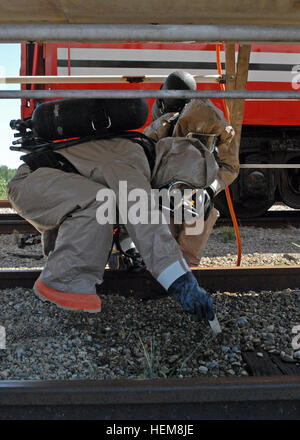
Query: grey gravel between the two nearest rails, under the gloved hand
[{"x": 131, "y": 338}]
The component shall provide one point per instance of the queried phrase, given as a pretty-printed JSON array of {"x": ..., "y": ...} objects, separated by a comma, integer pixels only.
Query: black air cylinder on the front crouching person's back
[{"x": 71, "y": 118}]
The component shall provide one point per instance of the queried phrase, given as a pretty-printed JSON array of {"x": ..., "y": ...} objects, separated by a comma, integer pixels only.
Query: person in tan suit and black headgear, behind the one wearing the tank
[{"x": 177, "y": 118}]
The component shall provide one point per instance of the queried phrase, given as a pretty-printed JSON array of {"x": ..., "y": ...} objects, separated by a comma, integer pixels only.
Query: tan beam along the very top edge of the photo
[{"x": 154, "y": 11}]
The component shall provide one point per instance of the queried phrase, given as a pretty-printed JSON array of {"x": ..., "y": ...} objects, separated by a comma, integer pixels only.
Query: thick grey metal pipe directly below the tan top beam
[{"x": 141, "y": 32}]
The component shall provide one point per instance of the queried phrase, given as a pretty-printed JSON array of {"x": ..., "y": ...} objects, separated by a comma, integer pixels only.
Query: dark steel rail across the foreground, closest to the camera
[{"x": 168, "y": 399}]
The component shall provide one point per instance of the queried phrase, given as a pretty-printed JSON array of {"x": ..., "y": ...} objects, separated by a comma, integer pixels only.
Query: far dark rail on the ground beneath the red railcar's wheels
[{"x": 273, "y": 219}]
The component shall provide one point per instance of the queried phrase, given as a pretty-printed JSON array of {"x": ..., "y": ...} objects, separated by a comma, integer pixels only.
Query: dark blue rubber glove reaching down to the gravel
[{"x": 192, "y": 298}]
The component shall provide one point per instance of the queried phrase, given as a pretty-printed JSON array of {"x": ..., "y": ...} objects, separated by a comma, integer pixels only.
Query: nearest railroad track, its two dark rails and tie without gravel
[{"x": 272, "y": 391}]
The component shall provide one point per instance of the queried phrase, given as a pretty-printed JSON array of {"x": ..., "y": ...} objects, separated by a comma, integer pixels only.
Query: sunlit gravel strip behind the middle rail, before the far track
[{"x": 260, "y": 246}]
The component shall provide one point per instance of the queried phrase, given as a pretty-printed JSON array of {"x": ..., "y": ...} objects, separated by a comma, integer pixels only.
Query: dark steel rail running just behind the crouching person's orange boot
[{"x": 143, "y": 285}]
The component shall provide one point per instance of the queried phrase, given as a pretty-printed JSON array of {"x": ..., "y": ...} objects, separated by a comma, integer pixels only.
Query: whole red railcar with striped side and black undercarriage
[{"x": 270, "y": 129}]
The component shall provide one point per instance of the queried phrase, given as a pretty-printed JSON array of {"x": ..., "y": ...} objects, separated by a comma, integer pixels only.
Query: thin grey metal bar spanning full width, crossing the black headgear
[{"x": 130, "y": 94}]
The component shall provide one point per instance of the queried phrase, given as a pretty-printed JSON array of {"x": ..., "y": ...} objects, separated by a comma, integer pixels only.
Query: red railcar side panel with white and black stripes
[{"x": 272, "y": 67}]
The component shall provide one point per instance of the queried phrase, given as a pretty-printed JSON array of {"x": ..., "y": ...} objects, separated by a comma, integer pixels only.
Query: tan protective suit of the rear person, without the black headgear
[{"x": 200, "y": 116}]
